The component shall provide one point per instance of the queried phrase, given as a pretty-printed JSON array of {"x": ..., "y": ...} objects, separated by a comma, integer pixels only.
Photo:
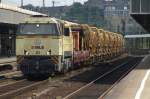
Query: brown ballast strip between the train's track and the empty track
[{"x": 53, "y": 83}]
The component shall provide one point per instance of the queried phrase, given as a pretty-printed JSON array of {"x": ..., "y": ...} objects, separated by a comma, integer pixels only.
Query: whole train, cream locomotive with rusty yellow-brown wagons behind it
[{"x": 47, "y": 45}]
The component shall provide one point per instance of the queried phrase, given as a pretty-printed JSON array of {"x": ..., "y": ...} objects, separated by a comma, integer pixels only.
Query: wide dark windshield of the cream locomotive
[{"x": 50, "y": 29}]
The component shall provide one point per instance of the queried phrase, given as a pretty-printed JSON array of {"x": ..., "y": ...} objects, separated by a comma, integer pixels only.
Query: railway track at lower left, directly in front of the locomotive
[{"x": 18, "y": 87}]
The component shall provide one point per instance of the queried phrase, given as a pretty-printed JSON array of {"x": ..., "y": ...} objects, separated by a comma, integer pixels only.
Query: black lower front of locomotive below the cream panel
[{"x": 39, "y": 64}]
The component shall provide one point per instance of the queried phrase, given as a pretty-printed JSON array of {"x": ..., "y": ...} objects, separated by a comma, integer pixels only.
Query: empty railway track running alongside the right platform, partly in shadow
[{"x": 99, "y": 87}]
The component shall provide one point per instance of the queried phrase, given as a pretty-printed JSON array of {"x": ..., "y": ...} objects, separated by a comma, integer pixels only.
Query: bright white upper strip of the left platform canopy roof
[{"x": 17, "y": 9}]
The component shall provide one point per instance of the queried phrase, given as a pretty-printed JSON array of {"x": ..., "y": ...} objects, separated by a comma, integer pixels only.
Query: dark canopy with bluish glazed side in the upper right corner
[{"x": 140, "y": 11}]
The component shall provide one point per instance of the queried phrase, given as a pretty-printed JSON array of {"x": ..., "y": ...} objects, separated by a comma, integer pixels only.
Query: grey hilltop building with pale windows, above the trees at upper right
[{"x": 111, "y": 7}]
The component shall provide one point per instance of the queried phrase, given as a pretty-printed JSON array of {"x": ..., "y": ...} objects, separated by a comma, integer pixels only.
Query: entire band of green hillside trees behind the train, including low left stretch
[{"x": 77, "y": 13}]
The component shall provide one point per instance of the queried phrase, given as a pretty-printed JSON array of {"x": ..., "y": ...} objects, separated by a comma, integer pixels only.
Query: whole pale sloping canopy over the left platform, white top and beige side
[{"x": 14, "y": 15}]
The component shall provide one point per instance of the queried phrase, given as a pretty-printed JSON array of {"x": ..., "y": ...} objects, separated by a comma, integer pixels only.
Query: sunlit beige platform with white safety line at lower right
[{"x": 136, "y": 85}]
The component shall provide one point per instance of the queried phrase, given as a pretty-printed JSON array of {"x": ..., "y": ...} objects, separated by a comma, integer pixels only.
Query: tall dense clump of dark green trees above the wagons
[{"x": 85, "y": 14}]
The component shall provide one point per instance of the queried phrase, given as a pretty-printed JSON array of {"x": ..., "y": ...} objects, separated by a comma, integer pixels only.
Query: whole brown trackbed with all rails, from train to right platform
[{"x": 76, "y": 87}]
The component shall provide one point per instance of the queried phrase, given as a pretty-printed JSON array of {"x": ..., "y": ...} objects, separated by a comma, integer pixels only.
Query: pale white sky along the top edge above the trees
[{"x": 39, "y": 2}]
